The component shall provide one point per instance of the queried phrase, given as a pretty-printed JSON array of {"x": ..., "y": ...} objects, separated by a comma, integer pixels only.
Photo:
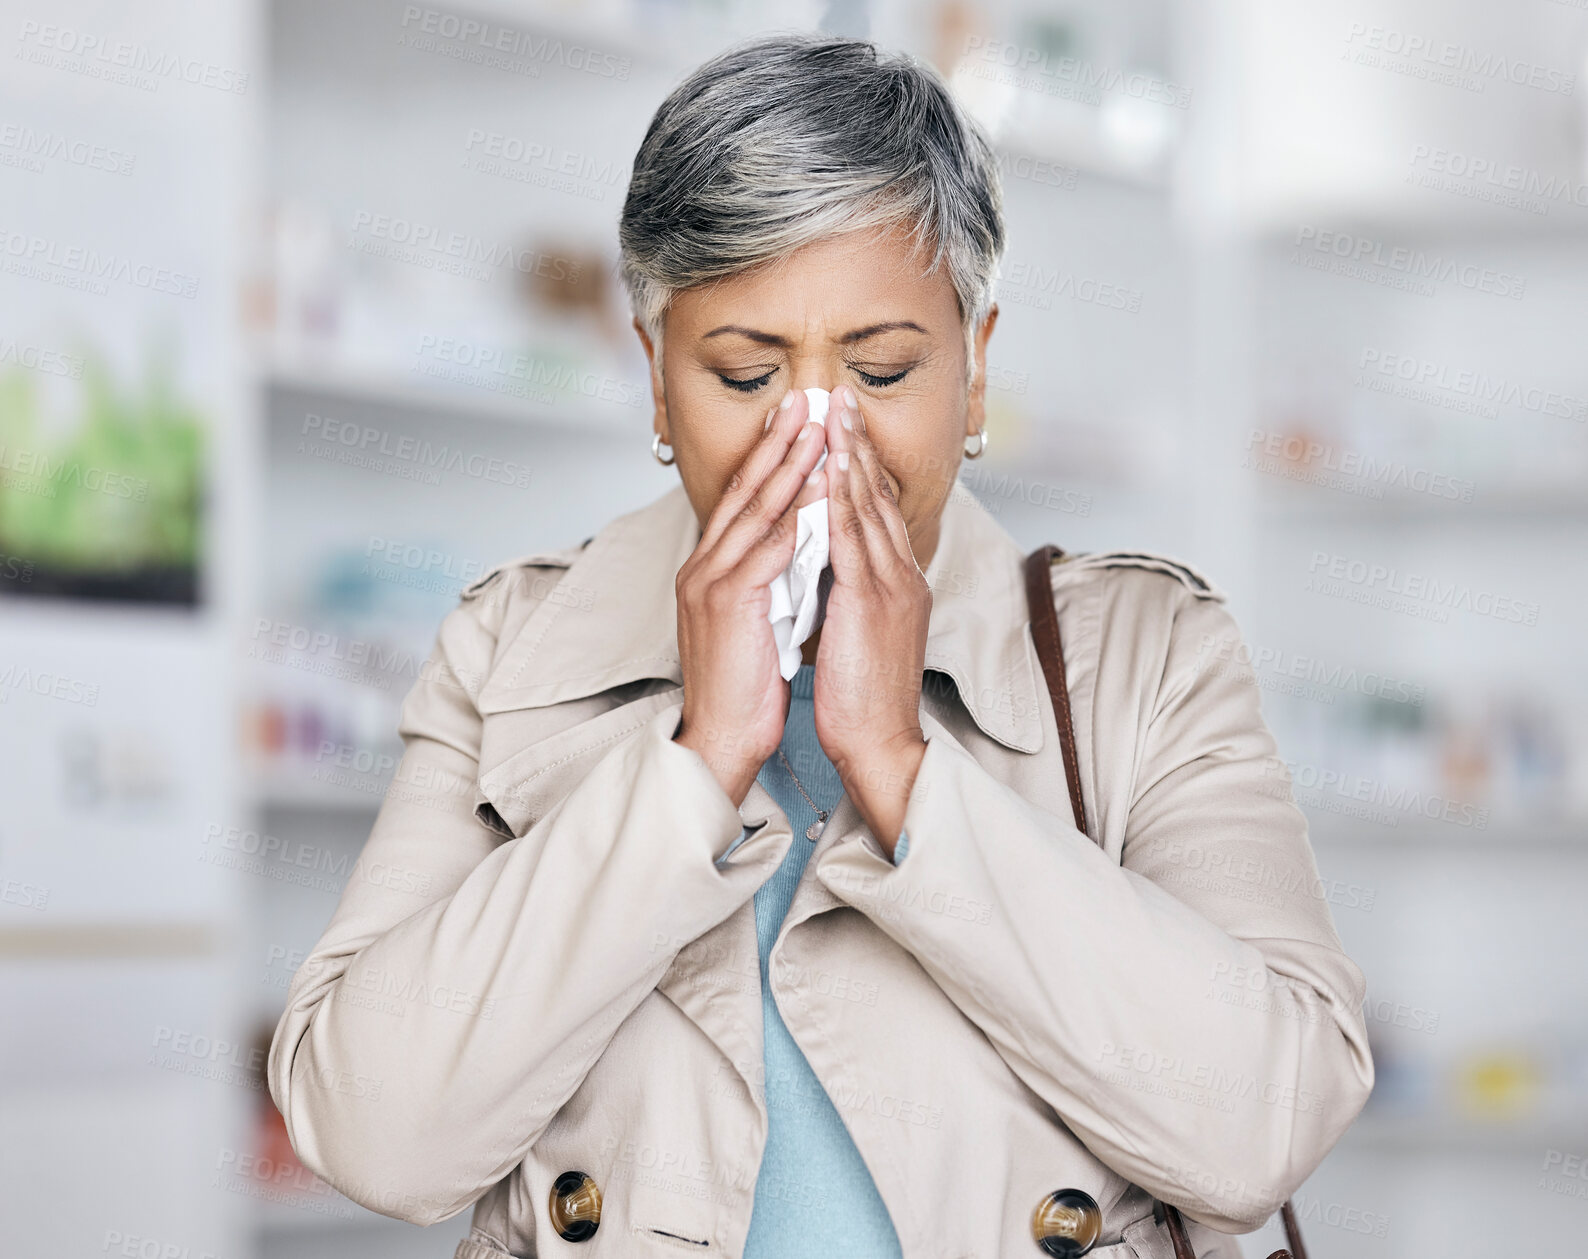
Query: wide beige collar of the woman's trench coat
[{"x": 614, "y": 618}]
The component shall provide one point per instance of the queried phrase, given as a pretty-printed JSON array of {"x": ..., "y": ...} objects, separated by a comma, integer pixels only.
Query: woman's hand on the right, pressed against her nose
[{"x": 873, "y": 649}]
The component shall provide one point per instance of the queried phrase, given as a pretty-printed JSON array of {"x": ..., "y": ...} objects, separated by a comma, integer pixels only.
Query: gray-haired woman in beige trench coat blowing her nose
[{"x": 650, "y": 950}]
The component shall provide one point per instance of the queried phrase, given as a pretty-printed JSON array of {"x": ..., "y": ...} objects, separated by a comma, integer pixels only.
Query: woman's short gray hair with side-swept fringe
[{"x": 792, "y": 139}]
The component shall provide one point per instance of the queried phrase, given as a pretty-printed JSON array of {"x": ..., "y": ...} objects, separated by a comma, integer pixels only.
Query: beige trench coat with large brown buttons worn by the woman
[{"x": 544, "y": 961}]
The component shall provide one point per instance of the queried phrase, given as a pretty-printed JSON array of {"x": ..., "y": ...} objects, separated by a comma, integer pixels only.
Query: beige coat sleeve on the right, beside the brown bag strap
[{"x": 1187, "y": 1012}]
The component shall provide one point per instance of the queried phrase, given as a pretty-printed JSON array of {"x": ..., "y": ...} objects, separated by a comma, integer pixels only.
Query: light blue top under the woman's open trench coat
[{"x": 814, "y": 1195}]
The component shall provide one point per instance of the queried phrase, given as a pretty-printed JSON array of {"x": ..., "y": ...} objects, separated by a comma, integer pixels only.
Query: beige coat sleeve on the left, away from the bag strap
[{"x": 468, "y": 984}]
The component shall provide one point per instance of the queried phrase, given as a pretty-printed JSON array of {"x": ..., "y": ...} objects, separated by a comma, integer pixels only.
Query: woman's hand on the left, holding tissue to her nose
[{"x": 736, "y": 699}]
